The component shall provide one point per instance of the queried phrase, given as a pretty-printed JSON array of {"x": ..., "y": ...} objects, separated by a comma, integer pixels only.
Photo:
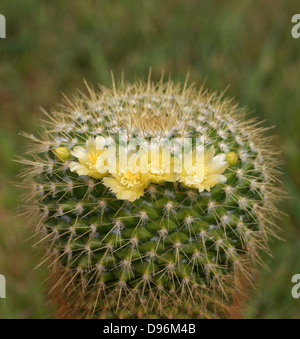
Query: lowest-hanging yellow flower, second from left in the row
[{"x": 128, "y": 184}]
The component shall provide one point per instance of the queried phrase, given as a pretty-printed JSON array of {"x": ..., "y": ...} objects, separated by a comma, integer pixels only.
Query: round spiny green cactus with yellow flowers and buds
[{"x": 157, "y": 244}]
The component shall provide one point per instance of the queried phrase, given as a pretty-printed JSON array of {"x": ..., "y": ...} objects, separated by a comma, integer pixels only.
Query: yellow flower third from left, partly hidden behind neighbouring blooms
[{"x": 160, "y": 165}]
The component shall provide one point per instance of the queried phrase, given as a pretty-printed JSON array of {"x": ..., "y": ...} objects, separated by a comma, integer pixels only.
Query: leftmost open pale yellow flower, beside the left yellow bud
[{"x": 92, "y": 159}]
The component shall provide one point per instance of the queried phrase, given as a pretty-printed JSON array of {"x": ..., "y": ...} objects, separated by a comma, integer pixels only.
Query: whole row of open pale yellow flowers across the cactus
[{"x": 130, "y": 169}]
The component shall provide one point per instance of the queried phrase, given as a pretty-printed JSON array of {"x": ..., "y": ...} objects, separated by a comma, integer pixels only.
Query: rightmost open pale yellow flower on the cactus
[{"x": 204, "y": 171}]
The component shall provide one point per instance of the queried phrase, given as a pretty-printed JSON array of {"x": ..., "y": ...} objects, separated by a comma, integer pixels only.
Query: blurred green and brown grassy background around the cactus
[{"x": 52, "y": 45}]
